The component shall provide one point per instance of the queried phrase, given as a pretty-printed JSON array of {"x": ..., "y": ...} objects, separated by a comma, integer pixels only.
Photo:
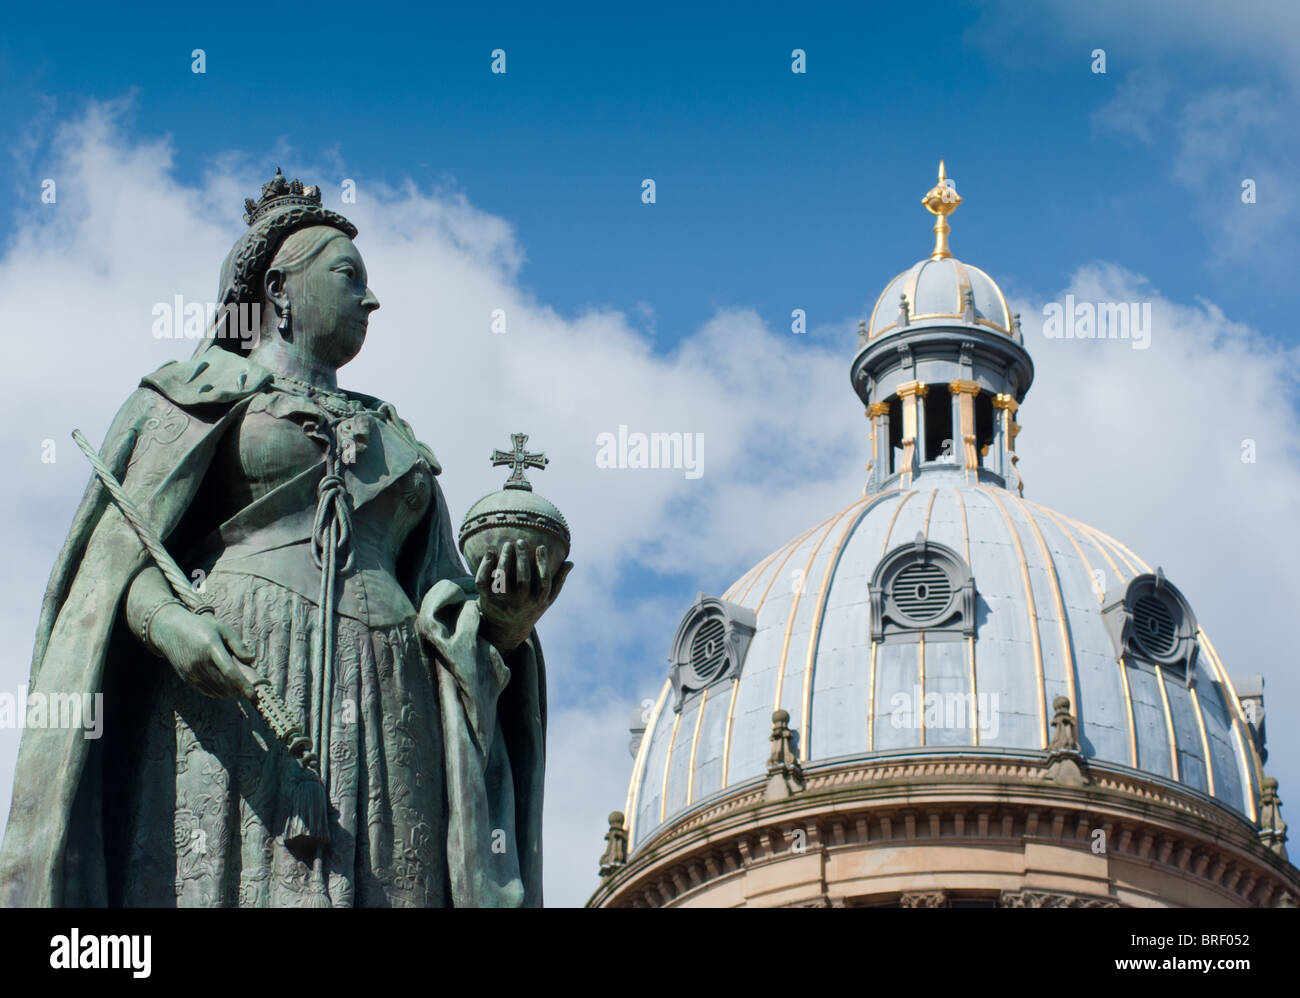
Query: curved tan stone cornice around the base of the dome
[{"x": 990, "y": 797}]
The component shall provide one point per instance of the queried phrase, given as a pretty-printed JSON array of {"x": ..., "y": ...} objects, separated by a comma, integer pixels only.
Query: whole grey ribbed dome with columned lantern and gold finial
[{"x": 943, "y": 614}]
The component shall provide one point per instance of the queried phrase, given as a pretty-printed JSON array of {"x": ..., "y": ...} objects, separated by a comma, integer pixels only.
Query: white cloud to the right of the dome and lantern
[{"x": 1147, "y": 445}]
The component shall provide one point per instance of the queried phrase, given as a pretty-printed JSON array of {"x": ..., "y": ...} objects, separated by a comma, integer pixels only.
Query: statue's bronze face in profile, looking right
[{"x": 332, "y": 302}]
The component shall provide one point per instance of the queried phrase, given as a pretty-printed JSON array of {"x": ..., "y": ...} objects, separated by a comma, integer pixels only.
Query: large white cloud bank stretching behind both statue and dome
[{"x": 1145, "y": 445}]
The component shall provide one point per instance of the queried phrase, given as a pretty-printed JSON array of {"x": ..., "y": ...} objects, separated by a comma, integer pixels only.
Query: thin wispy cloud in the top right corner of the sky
[{"x": 1212, "y": 90}]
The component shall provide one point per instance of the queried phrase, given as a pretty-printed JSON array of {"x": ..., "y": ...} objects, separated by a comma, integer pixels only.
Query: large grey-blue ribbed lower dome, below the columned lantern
[{"x": 1042, "y": 583}]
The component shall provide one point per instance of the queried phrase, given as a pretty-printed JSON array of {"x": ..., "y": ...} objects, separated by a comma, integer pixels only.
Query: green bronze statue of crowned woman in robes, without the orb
[{"x": 328, "y": 583}]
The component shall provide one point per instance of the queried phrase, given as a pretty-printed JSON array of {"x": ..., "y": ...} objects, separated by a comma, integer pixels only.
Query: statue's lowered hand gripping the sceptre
[{"x": 206, "y": 653}]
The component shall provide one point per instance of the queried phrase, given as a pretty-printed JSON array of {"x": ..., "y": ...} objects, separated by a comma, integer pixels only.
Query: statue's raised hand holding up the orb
[{"x": 515, "y": 588}]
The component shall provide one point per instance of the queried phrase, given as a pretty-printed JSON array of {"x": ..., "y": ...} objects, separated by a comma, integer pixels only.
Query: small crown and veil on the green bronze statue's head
[{"x": 278, "y": 224}]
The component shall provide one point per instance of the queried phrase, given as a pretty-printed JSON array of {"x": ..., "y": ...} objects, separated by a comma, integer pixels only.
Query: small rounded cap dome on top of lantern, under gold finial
[{"x": 935, "y": 292}]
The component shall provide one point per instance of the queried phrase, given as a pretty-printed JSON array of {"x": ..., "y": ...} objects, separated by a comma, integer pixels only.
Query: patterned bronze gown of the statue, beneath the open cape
[{"x": 197, "y": 802}]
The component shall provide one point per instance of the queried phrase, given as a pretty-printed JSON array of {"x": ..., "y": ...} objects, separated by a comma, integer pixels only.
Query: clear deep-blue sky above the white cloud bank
[{"x": 774, "y": 190}]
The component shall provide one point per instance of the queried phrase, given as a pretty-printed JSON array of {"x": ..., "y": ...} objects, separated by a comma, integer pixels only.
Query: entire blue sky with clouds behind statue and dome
[{"x": 774, "y": 192}]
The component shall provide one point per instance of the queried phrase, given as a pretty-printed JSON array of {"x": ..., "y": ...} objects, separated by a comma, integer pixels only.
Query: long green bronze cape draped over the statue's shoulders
[{"x": 159, "y": 448}]
